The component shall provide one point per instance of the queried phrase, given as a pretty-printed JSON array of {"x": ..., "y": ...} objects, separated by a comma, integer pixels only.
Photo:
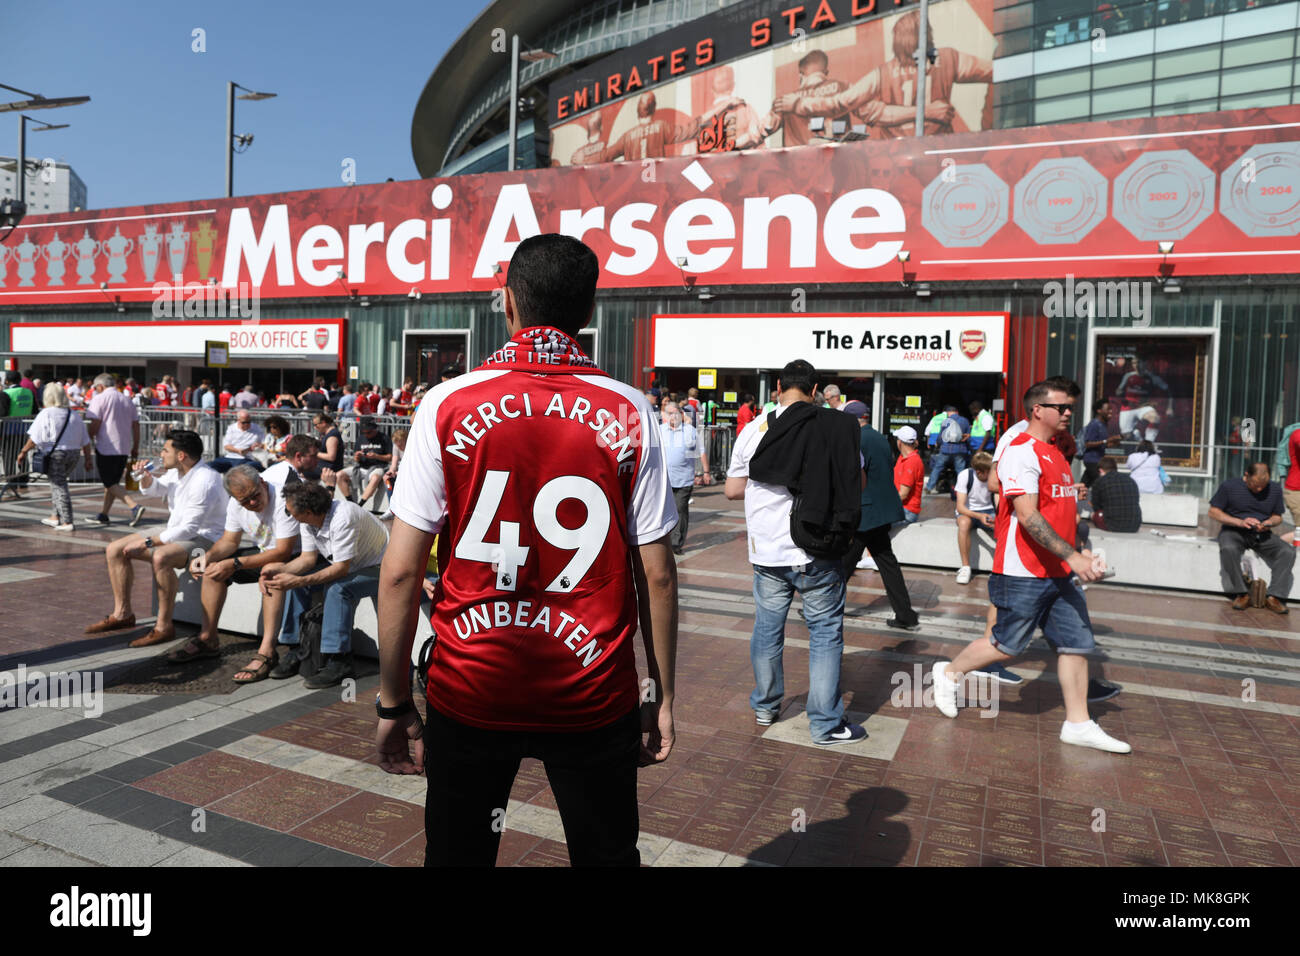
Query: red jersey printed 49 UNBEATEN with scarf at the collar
[{"x": 541, "y": 474}]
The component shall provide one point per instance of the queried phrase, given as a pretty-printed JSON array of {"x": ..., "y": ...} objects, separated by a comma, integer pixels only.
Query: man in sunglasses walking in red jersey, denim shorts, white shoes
[{"x": 1035, "y": 557}]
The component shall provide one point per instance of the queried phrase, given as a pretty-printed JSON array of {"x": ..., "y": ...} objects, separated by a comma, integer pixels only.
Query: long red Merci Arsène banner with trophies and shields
[{"x": 1051, "y": 205}]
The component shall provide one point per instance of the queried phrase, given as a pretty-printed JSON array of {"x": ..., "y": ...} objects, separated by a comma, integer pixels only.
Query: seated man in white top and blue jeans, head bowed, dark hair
[{"x": 353, "y": 542}]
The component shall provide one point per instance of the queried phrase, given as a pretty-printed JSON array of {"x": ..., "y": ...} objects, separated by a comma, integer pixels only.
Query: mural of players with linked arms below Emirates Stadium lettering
[{"x": 861, "y": 76}]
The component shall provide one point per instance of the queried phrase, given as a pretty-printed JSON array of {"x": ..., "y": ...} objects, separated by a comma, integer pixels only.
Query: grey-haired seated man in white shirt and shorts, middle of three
[{"x": 257, "y": 509}]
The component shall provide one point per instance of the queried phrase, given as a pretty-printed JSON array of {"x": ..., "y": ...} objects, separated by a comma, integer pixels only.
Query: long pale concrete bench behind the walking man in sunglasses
[{"x": 1145, "y": 559}]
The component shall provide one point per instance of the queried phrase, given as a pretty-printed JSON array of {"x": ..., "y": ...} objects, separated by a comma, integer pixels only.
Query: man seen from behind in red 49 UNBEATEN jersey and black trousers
[{"x": 547, "y": 486}]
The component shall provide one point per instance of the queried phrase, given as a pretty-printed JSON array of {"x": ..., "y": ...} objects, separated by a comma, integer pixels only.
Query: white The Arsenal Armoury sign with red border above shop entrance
[{"x": 889, "y": 343}]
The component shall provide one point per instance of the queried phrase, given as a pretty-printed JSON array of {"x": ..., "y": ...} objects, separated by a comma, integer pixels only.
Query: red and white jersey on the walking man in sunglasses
[{"x": 1033, "y": 468}]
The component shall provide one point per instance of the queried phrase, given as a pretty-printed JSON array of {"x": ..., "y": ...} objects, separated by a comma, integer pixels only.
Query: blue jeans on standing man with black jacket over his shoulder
[{"x": 824, "y": 589}]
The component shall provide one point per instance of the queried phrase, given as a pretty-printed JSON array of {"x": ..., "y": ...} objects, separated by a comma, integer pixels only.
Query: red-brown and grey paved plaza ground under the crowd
[{"x": 184, "y": 768}]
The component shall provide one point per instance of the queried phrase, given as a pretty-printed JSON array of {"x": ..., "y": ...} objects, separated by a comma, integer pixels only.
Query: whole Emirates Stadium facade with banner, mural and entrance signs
[{"x": 1107, "y": 192}]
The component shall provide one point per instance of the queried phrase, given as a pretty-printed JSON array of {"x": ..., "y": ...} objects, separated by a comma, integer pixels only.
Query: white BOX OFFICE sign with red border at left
[{"x": 307, "y": 339}]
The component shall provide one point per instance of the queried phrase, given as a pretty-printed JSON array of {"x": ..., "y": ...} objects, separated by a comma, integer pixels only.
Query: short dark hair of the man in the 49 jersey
[{"x": 553, "y": 279}]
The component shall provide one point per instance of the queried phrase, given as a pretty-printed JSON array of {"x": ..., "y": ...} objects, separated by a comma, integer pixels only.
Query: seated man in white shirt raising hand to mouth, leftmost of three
[{"x": 198, "y": 511}]
